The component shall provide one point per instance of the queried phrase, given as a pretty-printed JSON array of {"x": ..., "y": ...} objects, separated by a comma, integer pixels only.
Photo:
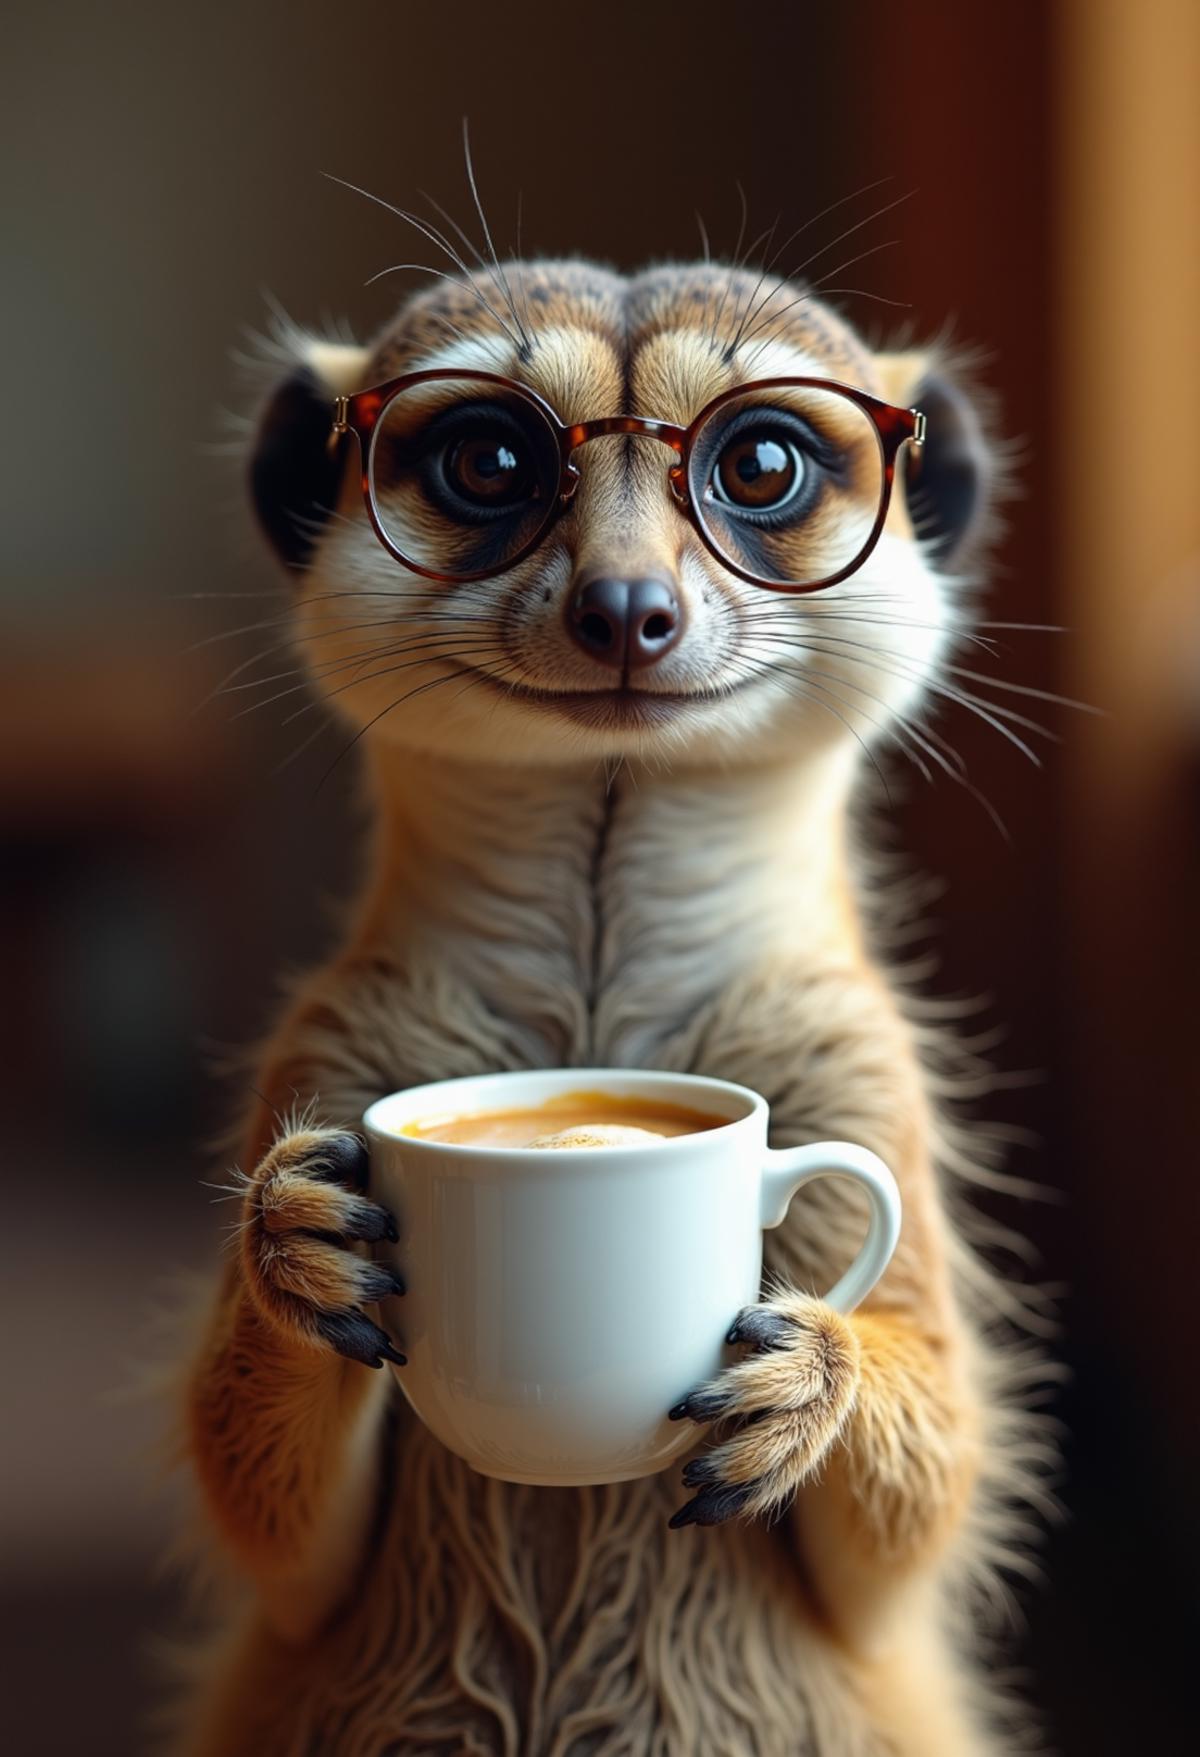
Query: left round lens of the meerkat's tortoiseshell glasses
[{"x": 463, "y": 475}]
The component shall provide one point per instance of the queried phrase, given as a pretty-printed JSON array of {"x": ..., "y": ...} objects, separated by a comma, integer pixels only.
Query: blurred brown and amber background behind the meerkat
[{"x": 163, "y": 177}]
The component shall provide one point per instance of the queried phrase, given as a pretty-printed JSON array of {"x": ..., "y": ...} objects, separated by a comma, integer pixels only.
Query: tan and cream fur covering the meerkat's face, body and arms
[{"x": 684, "y": 899}]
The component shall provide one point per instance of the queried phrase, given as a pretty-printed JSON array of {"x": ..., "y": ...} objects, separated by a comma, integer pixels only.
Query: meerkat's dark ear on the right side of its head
[{"x": 951, "y": 482}]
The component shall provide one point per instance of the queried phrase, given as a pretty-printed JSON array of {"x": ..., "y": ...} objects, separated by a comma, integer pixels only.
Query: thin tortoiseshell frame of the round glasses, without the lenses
[{"x": 363, "y": 416}]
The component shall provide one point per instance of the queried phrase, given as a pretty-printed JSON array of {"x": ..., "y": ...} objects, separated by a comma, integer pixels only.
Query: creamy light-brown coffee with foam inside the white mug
[{"x": 572, "y": 1120}]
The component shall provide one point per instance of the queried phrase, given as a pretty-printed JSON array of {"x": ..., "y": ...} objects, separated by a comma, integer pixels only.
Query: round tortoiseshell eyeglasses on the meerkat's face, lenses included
[{"x": 786, "y": 481}]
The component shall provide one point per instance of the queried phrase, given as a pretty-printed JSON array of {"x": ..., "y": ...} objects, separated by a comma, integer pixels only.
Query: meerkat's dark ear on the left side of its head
[{"x": 294, "y": 474}]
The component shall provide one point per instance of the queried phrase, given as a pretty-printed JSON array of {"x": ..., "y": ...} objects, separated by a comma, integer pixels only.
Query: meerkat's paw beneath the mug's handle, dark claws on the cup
[{"x": 792, "y": 1399}]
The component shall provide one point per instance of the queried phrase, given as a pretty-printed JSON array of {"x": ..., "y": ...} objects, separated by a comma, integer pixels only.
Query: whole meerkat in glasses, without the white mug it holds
[{"x": 618, "y": 821}]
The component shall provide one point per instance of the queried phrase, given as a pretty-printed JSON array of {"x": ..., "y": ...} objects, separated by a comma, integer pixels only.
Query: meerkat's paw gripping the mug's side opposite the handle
[{"x": 305, "y": 1210}]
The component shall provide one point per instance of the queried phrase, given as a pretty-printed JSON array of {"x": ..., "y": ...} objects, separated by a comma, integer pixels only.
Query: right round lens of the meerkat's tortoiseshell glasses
[{"x": 790, "y": 482}]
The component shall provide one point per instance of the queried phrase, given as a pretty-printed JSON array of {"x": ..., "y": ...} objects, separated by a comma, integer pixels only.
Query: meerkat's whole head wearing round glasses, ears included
[{"x": 575, "y": 589}]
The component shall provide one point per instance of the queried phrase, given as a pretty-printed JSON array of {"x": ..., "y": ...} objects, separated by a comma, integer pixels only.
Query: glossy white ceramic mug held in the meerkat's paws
[{"x": 563, "y": 1301}]
